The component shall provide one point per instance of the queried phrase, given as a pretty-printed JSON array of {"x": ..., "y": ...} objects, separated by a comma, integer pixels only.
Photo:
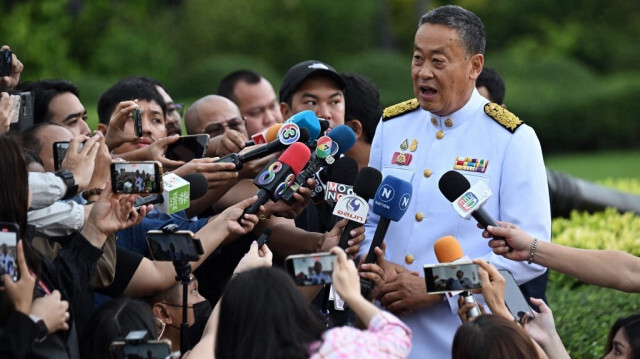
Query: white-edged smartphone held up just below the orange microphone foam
[{"x": 444, "y": 278}]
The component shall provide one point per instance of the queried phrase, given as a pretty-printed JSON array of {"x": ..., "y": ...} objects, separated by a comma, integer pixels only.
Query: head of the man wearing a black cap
[{"x": 316, "y": 86}]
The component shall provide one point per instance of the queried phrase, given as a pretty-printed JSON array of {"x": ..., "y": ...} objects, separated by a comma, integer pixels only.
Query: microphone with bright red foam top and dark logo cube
[{"x": 278, "y": 174}]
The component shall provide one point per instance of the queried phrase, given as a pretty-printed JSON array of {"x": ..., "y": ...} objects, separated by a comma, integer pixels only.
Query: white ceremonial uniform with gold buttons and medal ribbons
[{"x": 420, "y": 147}]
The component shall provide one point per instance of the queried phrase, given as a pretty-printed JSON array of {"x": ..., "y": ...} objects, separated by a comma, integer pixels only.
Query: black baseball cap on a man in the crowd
[{"x": 301, "y": 71}]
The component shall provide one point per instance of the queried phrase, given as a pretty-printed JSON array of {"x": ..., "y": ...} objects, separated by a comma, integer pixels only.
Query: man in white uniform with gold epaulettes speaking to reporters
[{"x": 449, "y": 126}]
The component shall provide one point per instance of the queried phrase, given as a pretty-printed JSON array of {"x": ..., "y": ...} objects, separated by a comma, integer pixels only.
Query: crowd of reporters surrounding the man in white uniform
[{"x": 88, "y": 278}]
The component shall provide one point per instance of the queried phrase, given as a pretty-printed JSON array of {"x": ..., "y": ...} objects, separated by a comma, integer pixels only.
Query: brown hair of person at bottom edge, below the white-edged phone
[{"x": 492, "y": 336}]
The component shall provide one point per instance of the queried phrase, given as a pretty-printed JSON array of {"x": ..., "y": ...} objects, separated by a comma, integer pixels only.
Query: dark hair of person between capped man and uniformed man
[{"x": 362, "y": 103}]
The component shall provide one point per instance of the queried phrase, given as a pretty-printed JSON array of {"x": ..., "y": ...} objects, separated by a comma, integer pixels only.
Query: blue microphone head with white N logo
[{"x": 392, "y": 198}]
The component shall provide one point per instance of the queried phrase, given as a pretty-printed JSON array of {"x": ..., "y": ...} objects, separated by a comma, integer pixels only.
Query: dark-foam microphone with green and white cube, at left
[{"x": 174, "y": 193}]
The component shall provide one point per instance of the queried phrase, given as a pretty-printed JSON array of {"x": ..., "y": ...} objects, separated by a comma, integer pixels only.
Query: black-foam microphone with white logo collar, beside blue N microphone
[{"x": 356, "y": 207}]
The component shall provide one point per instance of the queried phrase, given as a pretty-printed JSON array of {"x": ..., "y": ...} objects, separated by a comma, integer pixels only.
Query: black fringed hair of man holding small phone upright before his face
[{"x": 127, "y": 89}]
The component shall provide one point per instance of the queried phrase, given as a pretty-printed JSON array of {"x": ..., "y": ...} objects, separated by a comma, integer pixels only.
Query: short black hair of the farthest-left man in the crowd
[{"x": 43, "y": 91}]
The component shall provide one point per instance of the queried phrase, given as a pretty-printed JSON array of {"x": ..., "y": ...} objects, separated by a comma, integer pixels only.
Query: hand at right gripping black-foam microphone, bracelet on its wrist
[{"x": 514, "y": 236}]
